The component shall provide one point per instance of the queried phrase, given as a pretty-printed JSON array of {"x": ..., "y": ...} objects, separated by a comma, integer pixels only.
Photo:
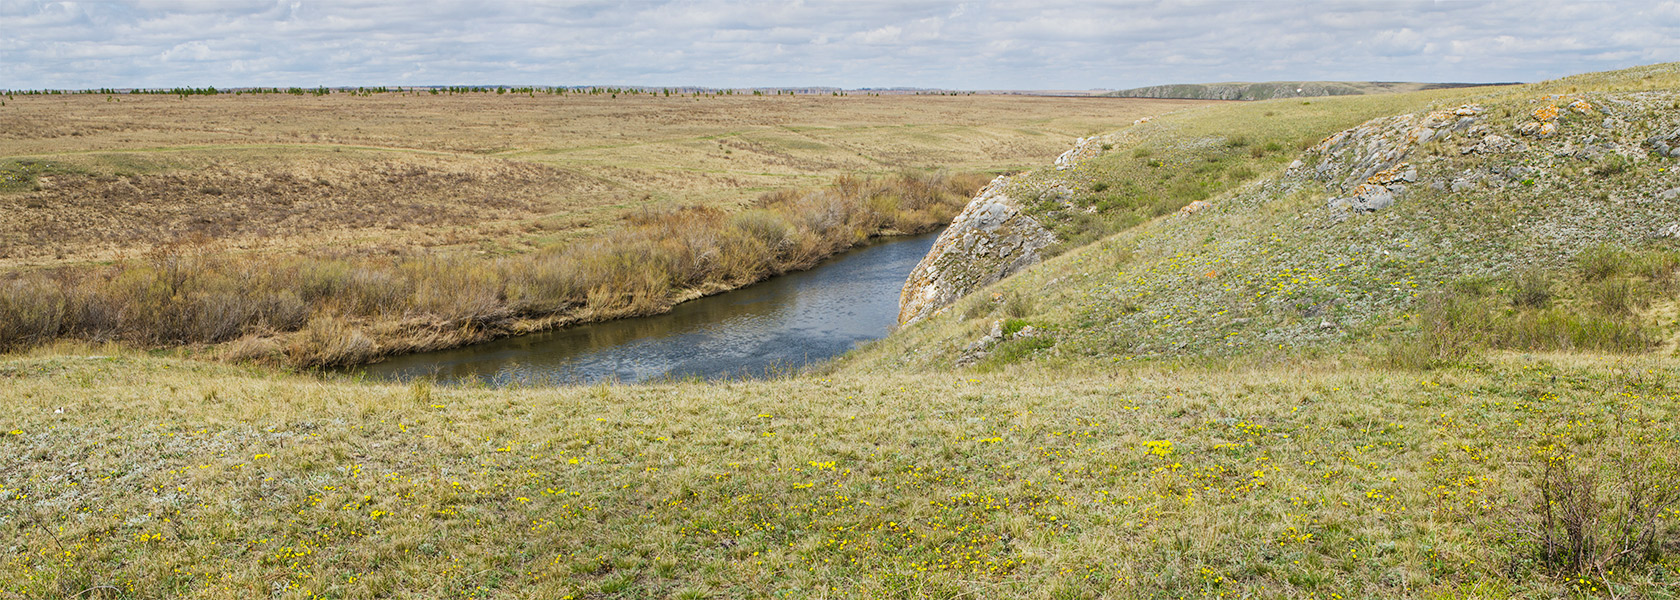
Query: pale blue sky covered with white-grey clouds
[{"x": 1042, "y": 45}]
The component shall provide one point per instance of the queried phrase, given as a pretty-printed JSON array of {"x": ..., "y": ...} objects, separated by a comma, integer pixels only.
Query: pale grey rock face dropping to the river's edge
[{"x": 992, "y": 239}]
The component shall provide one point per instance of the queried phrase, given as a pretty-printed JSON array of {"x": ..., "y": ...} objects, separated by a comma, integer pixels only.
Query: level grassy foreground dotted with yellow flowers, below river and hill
[{"x": 132, "y": 476}]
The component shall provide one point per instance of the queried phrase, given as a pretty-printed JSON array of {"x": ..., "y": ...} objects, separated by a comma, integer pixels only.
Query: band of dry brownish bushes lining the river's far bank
[{"x": 323, "y": 312}]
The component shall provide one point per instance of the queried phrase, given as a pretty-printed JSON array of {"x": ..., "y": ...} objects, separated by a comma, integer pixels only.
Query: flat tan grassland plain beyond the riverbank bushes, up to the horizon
[{"x": 93, "y": 177}]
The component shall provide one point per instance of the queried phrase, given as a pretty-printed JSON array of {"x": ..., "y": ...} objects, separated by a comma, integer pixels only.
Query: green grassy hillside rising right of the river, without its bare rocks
[{"x": 1271, "y": 268}]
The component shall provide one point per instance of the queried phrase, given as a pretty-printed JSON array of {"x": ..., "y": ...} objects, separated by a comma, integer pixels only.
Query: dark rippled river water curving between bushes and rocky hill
[{"x": 780, "y": 324}]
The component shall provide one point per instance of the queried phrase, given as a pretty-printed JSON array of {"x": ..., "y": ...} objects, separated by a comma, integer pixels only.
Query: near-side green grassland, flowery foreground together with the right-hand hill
[{"x": 1464, "y": 394}]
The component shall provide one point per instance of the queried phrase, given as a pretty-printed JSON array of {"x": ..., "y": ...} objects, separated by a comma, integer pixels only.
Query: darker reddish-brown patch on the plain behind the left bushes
[{"x": 90, "y": 216}]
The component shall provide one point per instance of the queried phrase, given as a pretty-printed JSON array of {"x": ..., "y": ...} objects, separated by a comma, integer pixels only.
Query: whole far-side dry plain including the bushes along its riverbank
[{"x": 339, "y": 229}]
